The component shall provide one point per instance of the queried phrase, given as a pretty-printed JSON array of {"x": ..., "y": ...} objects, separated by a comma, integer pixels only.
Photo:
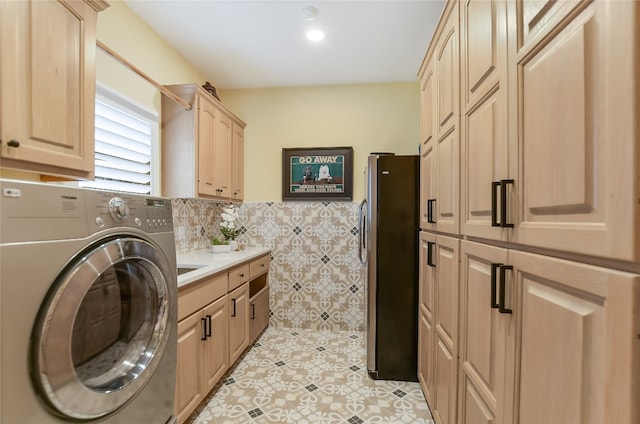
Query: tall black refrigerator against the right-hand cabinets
[{"x": 389, "y": 231}]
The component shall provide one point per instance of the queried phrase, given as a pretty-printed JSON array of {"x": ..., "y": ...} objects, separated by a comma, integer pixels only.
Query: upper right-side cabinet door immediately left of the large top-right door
[{"x": 485, "y": 149}]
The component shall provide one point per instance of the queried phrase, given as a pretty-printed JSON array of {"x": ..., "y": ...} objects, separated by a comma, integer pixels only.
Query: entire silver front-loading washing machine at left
[{"x": 88, "y": 306}]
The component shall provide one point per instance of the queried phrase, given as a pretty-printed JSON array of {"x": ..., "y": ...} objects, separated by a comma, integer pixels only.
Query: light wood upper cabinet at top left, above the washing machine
[{"x": 47, "y": 86}]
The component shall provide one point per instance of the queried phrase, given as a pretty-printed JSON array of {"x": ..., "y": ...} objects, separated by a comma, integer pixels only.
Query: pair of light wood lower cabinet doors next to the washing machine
[{"x": 203, "y": 355}]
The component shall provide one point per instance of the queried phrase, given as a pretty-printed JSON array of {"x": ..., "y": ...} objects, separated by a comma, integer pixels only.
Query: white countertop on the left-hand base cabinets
[{"x": 208, "y": 263}]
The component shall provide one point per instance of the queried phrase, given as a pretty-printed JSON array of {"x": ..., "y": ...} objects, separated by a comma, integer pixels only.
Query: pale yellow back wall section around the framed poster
[{"x": 369, "y": 117}]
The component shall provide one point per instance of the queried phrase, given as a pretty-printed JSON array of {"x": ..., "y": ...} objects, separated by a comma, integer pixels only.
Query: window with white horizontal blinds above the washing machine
[{"x": 125, "y": 135}]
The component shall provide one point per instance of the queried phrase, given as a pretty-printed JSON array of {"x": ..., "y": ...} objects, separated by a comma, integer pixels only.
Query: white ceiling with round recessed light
[{"x": 252, "y": 44}]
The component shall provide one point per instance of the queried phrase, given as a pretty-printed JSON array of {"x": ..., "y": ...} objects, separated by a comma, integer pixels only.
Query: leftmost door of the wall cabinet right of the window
[{"x": 207, "y": 118}]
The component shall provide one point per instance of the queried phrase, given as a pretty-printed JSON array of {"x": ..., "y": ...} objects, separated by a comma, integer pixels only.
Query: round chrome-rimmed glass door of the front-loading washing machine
[{"x": 103, "y": 330}]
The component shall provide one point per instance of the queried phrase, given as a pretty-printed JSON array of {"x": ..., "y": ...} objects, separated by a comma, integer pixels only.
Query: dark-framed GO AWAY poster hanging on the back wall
[{"x": 319, "y": 173}]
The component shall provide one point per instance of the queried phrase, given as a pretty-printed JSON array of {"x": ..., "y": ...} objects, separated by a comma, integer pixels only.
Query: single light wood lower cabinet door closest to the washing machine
[{"x": 189, "y": 363}]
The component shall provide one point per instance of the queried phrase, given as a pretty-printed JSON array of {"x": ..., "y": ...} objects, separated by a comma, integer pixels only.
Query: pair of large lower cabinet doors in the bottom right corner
[{"x": 545, "y": 340}]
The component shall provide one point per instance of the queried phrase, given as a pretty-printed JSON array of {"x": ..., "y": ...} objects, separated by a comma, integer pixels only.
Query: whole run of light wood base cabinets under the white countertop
[{"x": 218, "y": 318}]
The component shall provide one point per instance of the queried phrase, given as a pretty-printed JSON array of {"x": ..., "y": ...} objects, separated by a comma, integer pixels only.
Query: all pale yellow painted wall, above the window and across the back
[{"x": 369, "y": 117}]
